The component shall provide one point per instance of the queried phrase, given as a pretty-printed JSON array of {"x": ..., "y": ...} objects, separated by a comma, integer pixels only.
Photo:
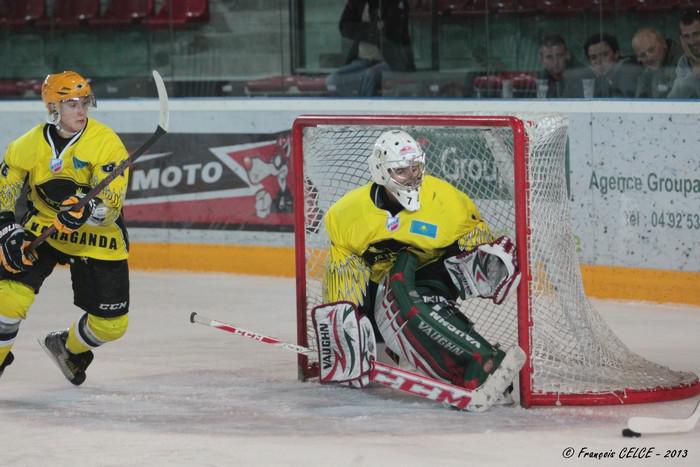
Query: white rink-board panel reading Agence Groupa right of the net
[{"x": 636, "y": 190}]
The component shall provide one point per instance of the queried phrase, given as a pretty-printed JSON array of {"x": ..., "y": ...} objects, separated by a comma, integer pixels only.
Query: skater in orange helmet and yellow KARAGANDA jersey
[{"x": 59, "y": 161}]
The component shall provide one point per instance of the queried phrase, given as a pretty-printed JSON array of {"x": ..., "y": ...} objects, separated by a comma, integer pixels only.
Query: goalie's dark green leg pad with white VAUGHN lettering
[{"x": 429, "y": 331}]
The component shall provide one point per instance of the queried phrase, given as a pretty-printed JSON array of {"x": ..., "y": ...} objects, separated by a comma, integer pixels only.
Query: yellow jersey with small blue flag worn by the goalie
[{"x": 366, "y": 239}]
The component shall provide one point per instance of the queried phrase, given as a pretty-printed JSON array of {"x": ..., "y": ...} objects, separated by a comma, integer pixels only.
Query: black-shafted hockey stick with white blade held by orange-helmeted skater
[{"x": 163, "y": 121}]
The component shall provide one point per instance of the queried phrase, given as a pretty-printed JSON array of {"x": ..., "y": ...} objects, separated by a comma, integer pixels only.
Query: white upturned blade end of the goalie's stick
[{"x": 492, "y": 391}]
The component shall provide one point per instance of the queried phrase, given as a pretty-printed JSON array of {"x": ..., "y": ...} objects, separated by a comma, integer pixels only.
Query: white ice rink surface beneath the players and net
[{"x": 172, "y": 393}]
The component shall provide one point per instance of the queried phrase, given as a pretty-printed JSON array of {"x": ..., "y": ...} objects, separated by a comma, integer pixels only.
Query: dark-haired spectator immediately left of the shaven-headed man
[{"x": 614, "y": 76}]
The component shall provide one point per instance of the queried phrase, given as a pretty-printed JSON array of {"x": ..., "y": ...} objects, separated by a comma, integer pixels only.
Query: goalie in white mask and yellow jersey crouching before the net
[{"x": 404, "y": 248}]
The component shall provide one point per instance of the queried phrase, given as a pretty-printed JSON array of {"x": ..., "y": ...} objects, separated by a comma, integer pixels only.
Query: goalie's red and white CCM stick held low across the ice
[{"x": 386, "y": 375}]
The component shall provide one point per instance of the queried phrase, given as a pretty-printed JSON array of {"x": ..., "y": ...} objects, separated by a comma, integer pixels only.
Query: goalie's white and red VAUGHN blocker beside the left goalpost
[{"x": 346, "y": 344}]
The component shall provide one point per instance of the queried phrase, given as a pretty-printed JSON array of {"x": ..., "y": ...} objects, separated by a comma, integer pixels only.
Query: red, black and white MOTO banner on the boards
[{"x": 212, "y": 181}]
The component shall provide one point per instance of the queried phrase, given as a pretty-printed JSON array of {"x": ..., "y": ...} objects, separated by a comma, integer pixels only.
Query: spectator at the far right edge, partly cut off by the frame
[{"x": 687, "y": 82}]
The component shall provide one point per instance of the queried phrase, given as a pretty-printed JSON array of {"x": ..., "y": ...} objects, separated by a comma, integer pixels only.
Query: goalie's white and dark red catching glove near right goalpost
[{"x": 489, "y": 271}]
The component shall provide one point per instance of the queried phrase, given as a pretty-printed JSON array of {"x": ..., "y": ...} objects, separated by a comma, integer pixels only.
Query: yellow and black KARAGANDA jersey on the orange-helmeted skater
[{"x": 52, "y": 176}]
